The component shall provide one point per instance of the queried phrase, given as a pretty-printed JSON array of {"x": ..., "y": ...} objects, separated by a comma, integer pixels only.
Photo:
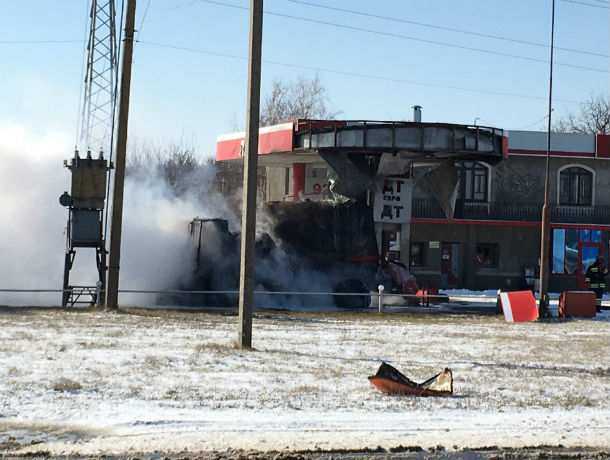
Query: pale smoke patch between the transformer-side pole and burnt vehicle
[{"x": 157, "y": 251}]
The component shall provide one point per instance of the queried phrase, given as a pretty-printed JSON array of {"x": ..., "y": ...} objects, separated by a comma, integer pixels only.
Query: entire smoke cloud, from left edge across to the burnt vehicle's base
[{"x": 157, "y": 251}]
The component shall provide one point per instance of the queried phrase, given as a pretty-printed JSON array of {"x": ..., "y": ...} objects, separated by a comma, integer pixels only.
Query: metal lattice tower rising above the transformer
[{"x": 97, "y": 122}]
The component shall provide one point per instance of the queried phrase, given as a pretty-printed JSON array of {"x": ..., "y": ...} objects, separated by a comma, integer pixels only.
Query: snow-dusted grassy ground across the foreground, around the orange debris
[{"x": 90, "y": 383}]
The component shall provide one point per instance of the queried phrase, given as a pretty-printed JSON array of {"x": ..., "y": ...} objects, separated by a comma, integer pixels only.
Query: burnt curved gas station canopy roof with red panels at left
[{"x": 307, "y": 139}]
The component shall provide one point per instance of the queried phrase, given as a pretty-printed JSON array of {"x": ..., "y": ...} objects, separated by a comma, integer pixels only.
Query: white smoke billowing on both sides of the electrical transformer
[{"x": 156, "y": 251}]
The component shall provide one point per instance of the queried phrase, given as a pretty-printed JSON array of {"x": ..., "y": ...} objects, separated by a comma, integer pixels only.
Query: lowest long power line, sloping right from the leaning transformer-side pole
[{"x": 353, "y": 74}]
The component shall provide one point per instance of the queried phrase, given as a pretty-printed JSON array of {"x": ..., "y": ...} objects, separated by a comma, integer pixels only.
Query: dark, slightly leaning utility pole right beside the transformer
[{"x": 112, "y": 296}]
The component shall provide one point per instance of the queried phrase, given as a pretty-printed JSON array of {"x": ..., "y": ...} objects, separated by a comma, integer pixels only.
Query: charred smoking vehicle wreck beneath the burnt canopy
[{"x": 335, "y": 252}]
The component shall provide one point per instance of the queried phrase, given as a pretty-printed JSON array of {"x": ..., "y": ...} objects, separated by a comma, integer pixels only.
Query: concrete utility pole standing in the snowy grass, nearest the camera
[{"x": 248, "y": 218}]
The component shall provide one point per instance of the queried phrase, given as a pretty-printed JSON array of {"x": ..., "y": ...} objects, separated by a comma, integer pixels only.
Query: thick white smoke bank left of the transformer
[{"x": 32, "y": 222}]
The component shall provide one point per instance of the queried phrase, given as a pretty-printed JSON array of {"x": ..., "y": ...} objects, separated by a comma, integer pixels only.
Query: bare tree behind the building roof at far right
[{"x": 593, "y": 118}]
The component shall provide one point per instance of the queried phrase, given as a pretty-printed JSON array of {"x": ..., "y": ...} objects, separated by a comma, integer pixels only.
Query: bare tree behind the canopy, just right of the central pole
[{"x": 303, "y": 98}]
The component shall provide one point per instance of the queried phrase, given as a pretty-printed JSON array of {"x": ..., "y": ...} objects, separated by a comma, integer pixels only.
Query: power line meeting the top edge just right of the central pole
[{"x": 445, "y": 28}]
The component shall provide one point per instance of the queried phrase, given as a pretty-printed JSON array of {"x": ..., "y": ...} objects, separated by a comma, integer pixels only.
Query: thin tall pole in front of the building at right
[{"x": 546, "y": 221}]
